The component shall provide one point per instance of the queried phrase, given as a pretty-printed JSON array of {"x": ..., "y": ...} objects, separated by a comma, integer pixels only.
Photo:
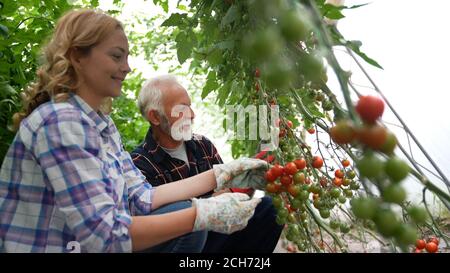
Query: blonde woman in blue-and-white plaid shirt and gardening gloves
[{"x": 66, "y": 178}]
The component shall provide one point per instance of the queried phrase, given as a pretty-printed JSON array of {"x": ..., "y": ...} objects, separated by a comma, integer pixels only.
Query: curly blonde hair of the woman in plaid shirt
[{"x": 56, "y": 77}]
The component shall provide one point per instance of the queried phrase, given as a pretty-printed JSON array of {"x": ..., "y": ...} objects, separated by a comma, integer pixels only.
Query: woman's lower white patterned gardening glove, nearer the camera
[{"x": 225, "y": 213}]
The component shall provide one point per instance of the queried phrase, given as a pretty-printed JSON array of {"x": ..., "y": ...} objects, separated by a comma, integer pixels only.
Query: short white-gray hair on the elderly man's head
[{"x": 150, "y": 96}]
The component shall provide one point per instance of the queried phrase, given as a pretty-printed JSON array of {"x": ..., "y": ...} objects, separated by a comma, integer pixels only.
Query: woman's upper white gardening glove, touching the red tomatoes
[{"x": 241, "y": 173}]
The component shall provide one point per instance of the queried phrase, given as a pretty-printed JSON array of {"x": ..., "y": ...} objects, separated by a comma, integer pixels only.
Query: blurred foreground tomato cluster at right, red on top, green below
[{"x": 387, "y": 175}]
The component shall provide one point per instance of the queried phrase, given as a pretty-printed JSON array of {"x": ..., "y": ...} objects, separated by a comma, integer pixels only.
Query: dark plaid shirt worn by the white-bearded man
[{"x": 160, "y": 168}]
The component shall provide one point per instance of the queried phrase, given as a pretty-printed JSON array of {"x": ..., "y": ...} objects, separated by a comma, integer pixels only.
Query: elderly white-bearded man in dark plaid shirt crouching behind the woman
[{"x": 171, "y": 152}]
